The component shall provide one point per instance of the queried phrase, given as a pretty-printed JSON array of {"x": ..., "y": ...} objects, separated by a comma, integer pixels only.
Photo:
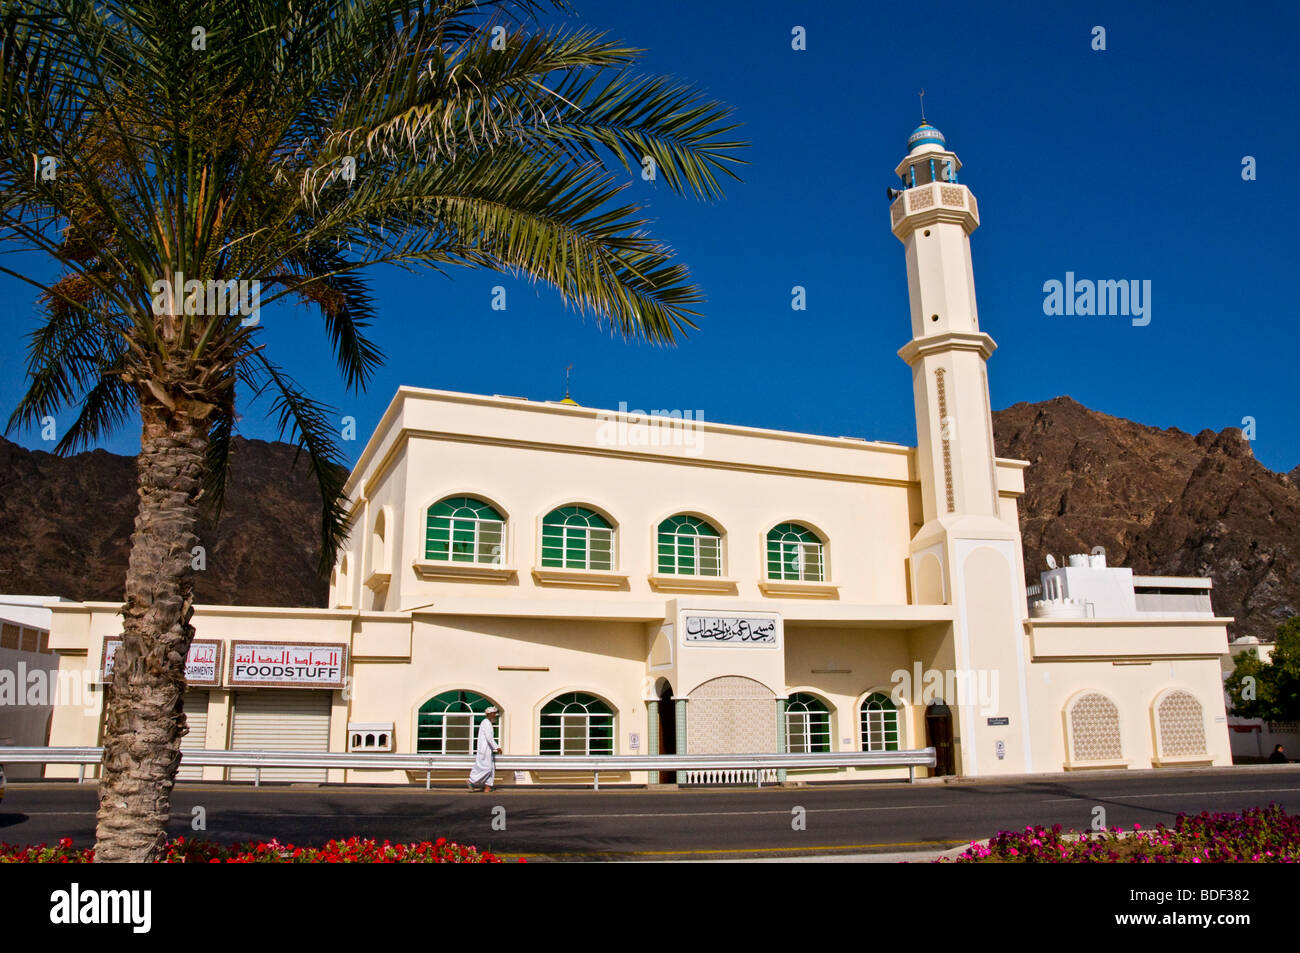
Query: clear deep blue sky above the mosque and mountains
[{"x": 1116, "y": 164}]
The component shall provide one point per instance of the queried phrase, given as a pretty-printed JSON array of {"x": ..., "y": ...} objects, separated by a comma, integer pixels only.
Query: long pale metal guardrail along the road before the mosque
[{"x": 592, "y": 765}]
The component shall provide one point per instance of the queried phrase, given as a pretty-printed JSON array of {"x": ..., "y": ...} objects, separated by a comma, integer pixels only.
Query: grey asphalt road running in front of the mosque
[{"x": 690, "y": 825}]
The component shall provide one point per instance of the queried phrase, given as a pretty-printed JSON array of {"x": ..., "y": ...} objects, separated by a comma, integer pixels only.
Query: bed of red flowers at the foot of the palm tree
[{"x": 352, "y": 851}]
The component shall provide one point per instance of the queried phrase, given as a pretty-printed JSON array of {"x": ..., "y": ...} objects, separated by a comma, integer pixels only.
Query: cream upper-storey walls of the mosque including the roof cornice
[{"x": 528, "y": 458}]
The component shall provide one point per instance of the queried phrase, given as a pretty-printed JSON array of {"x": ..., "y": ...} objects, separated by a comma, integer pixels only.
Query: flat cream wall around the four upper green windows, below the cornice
[{"x": 744, "y": 506}]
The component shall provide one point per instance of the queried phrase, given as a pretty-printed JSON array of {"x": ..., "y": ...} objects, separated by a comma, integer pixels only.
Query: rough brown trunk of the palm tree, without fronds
[{"x": 145, "y": 718}]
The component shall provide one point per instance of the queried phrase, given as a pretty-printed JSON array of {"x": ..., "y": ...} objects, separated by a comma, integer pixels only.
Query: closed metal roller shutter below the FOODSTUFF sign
[{"x": 281, "y": 721}]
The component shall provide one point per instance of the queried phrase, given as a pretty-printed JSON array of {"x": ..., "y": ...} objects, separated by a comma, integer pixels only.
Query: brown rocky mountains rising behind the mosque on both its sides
[{"x": 1162, "y": 503}]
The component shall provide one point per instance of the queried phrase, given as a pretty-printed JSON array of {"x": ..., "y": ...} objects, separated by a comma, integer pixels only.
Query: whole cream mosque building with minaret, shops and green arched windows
[{"x": 622, "y": 584}]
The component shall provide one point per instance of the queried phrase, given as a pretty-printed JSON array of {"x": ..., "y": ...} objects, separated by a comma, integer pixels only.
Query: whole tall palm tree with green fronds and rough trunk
[{"x": 162, "y": 151}]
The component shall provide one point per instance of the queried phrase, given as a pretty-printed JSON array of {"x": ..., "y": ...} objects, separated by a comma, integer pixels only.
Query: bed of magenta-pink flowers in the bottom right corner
[{"x": 1260, "y": 835}]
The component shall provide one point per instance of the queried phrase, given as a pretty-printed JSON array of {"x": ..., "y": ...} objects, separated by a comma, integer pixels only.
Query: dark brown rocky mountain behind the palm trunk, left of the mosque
[{"x": 67, "y": 526}]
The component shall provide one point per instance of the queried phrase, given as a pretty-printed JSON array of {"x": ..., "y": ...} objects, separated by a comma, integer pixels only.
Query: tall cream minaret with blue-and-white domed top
[{"x": 968, "y": 551}]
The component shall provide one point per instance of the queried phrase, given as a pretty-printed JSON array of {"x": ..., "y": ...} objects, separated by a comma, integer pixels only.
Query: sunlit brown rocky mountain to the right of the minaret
[{"x": 1162, "y": 503}]
